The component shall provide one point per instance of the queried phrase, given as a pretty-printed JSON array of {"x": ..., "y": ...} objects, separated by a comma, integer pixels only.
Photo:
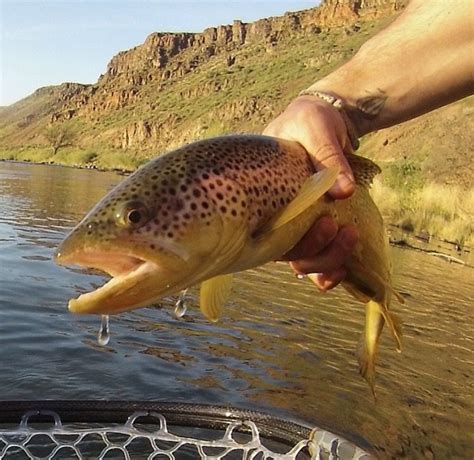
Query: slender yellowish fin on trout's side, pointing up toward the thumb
[{"x": 313, "y": 188}]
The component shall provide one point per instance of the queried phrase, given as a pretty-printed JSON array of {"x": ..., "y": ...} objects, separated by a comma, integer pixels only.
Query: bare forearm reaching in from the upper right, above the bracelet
[{"x": 424, "y": 60}]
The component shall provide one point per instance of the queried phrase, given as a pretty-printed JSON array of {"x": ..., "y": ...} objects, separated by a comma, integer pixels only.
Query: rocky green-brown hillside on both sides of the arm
[{"x": 179, "y": 87}]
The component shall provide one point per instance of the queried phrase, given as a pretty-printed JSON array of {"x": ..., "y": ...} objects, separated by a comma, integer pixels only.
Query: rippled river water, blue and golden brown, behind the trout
[{"x": 280, "y": 346}]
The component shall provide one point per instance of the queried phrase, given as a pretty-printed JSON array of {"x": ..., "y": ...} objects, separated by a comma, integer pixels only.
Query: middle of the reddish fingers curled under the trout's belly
[{"x": 332, "y": 257}]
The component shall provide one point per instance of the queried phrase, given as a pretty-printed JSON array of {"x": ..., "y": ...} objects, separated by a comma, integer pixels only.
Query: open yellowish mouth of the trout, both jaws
[{"x": 131, "y": 285}]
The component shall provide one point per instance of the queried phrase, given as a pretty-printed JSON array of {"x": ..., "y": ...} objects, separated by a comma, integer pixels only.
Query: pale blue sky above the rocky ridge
[{"x": 47, "y": 42}]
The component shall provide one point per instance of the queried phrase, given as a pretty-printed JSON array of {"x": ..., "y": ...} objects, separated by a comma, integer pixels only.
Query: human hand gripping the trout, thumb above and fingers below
[{"x": 320, "y": 129}]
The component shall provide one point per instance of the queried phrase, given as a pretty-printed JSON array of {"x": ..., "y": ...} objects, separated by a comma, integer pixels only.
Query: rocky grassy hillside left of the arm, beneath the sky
[{"x": 179, "y": 87}]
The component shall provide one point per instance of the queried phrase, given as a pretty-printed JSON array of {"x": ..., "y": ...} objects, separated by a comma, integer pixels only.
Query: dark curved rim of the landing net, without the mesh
[{"x": 184, "y": 414}]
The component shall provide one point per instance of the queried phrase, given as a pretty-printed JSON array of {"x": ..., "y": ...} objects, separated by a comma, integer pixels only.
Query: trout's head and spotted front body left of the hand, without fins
[{"x": 192, "y": 213}]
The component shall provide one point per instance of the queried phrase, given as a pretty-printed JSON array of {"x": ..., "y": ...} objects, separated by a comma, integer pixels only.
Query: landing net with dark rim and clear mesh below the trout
[{"x": 124, "y": 430}]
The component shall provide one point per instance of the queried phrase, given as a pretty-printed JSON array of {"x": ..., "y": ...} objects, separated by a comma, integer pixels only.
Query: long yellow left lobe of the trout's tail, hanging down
[{"x": 367, "y": 351}]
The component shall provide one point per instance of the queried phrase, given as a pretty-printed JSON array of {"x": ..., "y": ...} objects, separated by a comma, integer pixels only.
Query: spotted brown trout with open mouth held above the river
[{"x": 214, "y": 207}]
